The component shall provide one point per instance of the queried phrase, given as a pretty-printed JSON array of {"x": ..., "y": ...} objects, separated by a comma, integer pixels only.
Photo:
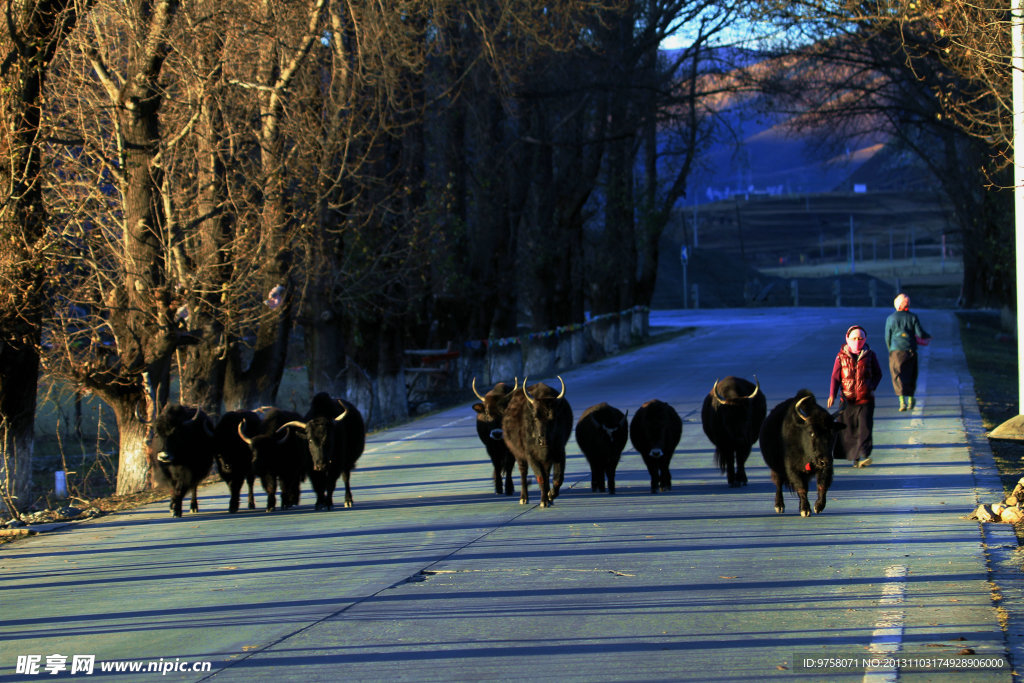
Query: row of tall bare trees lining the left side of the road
[{"x": 186, "y": 184}]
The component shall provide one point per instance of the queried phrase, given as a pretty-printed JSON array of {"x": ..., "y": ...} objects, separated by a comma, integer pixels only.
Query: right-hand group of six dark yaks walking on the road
[{"x": 531, "y": 428}]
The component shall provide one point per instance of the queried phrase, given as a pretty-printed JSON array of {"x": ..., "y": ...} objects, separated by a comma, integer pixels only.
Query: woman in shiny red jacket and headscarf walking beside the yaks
[{"x": 857, "y": 374}]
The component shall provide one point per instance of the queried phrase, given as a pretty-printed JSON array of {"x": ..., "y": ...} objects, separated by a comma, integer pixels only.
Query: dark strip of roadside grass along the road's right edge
[{"x": 992, "y": 358}]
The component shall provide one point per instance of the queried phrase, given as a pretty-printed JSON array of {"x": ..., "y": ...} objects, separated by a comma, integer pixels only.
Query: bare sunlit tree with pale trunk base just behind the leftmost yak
[{"x": 136, "y": 309}]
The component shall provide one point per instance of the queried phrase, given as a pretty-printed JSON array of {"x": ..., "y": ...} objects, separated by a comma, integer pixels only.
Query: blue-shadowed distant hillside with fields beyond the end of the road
[{"x": 777, "y": 212}]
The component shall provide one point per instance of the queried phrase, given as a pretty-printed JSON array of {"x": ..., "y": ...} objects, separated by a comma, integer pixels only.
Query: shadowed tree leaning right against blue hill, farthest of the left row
[{"x": 660, "y": 114}]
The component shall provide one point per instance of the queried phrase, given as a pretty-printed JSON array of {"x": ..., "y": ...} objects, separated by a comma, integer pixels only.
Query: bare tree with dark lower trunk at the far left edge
[{"x": 29, "y": 38}]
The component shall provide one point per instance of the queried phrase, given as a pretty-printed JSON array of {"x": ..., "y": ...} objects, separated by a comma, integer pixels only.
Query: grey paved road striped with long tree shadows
[{"x": 431, "y": 577}]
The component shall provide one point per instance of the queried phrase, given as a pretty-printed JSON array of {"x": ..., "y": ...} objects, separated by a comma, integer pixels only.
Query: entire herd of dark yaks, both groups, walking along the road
[{"x": 527, "y": 426}]
